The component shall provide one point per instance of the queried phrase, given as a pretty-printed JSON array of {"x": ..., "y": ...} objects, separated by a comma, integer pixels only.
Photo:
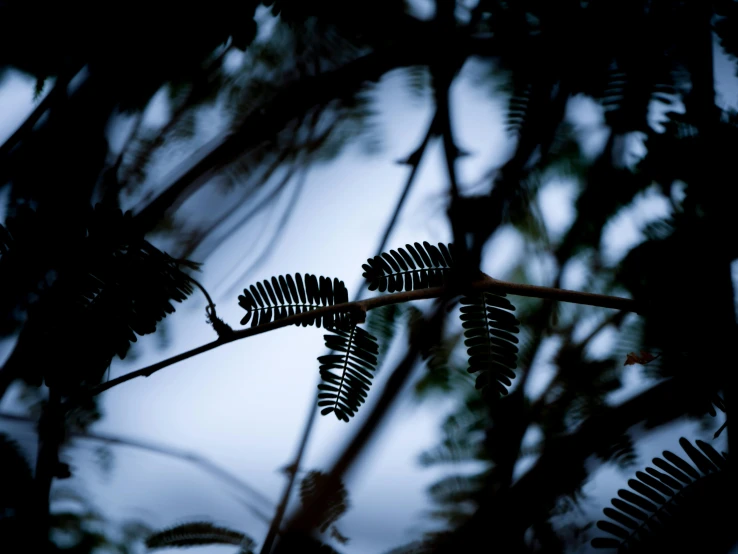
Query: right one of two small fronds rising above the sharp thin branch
[{"x": 410, "y": 268}]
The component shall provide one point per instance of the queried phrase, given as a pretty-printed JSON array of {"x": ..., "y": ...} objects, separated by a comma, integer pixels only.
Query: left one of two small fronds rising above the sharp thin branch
[{"x": 284, "y": 296}]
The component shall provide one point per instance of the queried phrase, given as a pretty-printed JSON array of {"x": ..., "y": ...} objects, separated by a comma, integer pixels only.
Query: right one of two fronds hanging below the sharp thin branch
[{"x": 490, "y": 330}]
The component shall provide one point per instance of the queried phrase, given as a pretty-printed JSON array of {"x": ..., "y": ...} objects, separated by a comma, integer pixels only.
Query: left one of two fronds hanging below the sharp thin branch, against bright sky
[{"x": 343, "y": 392}]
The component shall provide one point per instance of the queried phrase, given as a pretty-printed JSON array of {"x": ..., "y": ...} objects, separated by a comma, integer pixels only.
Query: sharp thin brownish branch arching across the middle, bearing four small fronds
[{"x": 484, "y": 284}]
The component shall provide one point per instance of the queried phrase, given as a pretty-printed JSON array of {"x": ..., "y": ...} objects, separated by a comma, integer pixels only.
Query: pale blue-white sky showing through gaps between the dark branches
[{"x": 243, "y": 405}]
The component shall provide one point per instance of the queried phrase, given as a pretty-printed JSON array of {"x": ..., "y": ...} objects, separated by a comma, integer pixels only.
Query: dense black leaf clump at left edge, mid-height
[{"x": 107, "y": 285}]
